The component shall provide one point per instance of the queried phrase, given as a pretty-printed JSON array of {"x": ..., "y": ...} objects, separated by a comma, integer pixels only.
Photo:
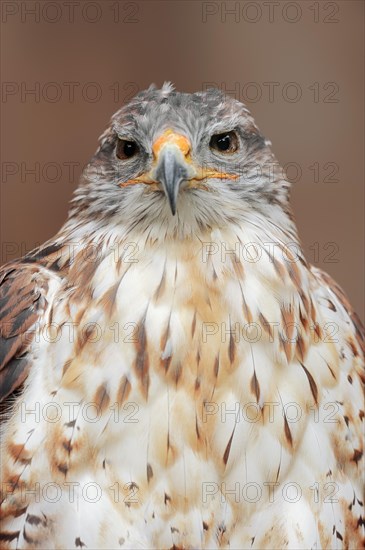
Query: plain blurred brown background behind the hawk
[{"x": 299, "y": 66}]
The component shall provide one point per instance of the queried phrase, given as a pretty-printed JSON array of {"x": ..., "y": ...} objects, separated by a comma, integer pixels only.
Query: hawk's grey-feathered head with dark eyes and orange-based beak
[{"x": 181, "y": 162}]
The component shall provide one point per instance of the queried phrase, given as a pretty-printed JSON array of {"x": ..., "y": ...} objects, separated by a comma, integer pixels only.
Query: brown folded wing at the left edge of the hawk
[{"x": 25, "y": 291}]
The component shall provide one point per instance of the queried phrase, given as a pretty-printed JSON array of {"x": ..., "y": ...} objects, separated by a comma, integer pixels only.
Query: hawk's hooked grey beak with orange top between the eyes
[{"x": 173, "y": 164}]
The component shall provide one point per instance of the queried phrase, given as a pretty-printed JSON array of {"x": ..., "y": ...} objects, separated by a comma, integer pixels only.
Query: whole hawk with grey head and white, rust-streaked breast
[{"x": 174, "y": 373}]
